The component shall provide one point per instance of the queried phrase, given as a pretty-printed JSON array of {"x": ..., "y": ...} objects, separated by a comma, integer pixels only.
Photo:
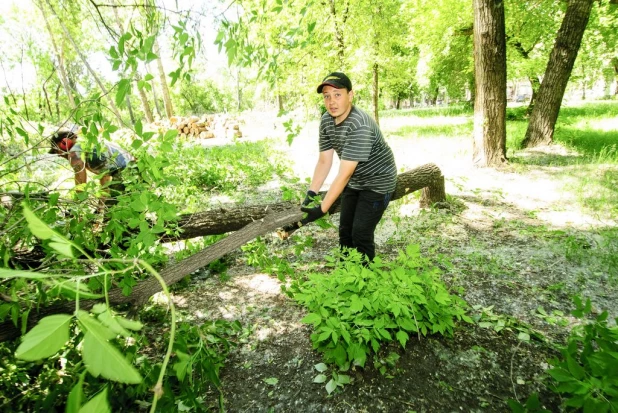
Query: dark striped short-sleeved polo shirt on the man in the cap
[{"x": 358, "y": 138}]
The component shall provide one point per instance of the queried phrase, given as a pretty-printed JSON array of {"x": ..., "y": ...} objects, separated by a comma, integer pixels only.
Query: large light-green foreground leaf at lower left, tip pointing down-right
[{"x": 100, "y": 357}]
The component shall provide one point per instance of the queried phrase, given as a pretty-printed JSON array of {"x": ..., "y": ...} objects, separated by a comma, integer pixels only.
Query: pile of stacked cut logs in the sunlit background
[{"x": 206, "y": 127}]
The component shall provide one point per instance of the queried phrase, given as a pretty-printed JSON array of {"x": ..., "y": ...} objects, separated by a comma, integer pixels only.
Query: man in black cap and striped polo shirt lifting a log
[{"x": 367, "y": 173}]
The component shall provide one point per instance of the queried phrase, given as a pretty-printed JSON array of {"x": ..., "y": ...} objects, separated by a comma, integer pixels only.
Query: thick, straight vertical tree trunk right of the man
[{"x": 490, "y": 83}]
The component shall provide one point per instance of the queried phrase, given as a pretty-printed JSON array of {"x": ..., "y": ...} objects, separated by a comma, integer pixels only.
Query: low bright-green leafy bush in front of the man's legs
[{"x": 356, "y": 308}]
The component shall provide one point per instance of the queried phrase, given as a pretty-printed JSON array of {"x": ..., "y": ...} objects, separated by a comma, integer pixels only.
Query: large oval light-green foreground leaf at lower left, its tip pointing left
[{"x": 45, "y": 339}]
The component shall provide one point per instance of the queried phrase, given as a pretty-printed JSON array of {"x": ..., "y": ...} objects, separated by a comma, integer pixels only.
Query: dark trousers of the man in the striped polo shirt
[{"x": 360, "y": 213}]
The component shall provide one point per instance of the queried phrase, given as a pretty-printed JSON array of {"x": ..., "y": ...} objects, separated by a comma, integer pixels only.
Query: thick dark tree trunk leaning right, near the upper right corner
[{"x": 545, "y": 113}]
